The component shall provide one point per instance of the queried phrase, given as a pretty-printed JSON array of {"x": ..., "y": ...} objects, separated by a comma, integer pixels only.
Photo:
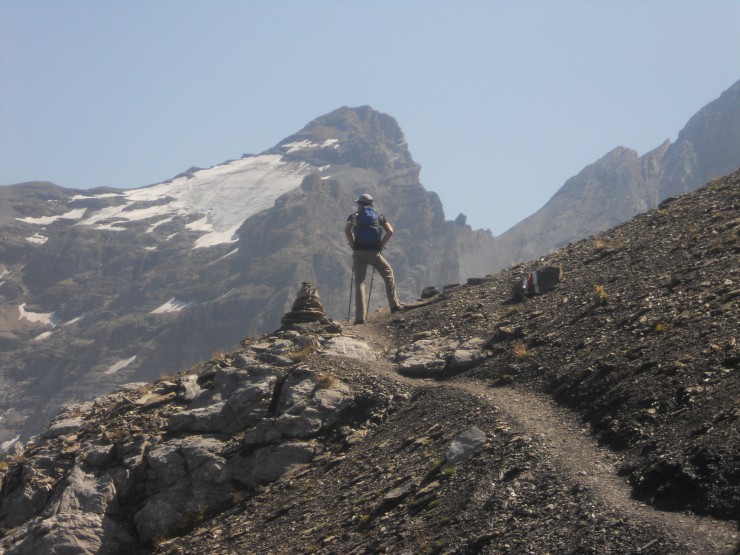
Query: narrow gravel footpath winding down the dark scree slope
[{"x": 573, "y": 450}]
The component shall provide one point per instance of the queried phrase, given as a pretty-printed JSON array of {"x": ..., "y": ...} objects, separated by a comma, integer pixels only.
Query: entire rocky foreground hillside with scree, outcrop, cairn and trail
[{"x": 434, "y": 430}]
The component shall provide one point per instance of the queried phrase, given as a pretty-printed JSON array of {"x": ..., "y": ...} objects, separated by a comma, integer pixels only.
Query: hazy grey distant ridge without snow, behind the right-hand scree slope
[{"x": 622, "y": 184}]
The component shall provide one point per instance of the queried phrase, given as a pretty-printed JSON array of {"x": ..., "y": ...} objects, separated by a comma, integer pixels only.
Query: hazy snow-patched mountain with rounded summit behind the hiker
[{"x": 107, "y": 286}]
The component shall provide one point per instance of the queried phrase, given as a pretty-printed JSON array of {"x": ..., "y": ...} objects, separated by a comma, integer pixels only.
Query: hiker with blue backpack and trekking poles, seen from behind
[{"x": 364, "y": 231}]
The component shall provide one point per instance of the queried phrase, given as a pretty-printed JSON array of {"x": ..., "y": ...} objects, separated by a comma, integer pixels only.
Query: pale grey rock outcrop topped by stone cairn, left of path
[{"x": 146, "y": 463}]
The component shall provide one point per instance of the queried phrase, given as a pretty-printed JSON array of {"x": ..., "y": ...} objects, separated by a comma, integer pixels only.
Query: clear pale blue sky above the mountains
[{"x": 500, "y": 101}]
